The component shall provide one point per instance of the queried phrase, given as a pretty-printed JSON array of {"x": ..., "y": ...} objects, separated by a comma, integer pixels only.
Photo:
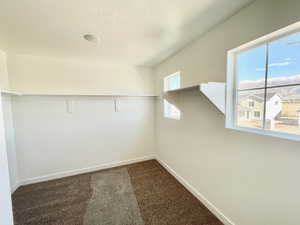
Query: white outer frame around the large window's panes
[{"x": 231, "y": 81}]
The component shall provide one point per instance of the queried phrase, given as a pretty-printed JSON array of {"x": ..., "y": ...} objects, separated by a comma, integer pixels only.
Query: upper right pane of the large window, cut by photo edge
[{"x": 284, "y": 61}]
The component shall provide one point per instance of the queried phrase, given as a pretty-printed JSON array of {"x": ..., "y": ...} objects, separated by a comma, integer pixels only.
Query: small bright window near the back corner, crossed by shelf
[{"x": 171, "y": 82}]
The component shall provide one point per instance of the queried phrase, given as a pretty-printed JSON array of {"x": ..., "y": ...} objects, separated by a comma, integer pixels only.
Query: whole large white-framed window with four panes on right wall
[{"x": 263, "y": 94}]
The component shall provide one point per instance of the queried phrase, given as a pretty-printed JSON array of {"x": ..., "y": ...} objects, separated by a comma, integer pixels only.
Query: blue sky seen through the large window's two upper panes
[{"x": 284, "y": 60}]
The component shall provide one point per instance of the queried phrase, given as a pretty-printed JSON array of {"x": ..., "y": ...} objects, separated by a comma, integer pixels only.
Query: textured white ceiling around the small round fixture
[{"x": 140, "y": 32}]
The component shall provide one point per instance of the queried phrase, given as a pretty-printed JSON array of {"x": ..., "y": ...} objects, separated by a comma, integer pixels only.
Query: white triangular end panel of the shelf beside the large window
[{"x": 215, "y": 92}]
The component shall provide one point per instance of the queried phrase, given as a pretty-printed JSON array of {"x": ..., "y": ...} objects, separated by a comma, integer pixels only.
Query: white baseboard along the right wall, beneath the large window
[{"x": 197, "y": 194}]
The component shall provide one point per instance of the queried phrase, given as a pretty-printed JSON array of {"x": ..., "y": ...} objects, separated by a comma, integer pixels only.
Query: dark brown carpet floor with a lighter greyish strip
[{"x": 138, "y": 194}]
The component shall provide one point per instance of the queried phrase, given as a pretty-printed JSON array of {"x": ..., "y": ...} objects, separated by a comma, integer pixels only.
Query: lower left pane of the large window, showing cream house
[{"x": 250, "y": 109}]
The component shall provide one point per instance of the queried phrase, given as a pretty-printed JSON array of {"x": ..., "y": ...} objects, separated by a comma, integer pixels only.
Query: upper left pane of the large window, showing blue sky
[{"x": 251, "y": 68}]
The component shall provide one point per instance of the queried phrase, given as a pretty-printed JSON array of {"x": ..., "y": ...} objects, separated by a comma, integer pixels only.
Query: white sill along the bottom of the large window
[{"x": 266, "y": 133}]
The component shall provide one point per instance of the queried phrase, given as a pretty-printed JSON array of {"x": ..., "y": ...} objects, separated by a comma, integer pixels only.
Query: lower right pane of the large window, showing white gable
[{"x": 283, "y": 109}]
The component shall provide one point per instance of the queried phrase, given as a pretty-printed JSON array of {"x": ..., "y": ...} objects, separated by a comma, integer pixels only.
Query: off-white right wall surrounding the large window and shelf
[{"x": 252, "y": 179}]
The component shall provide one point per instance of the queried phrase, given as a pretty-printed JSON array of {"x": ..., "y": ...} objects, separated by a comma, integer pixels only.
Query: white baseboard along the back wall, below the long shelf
[{"x": 83, "y": 170}]
